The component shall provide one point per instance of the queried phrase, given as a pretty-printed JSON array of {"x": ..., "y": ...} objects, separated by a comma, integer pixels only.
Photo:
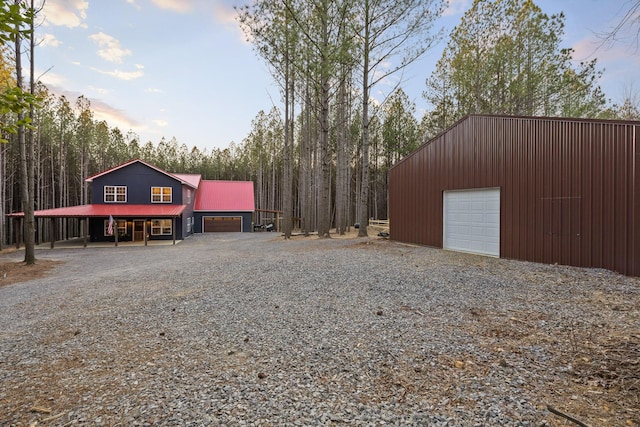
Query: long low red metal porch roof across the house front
[{"x": 104, "y": 210}]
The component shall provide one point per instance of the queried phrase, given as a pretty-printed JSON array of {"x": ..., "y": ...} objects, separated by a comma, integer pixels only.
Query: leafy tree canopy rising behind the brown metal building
[{"x": 505, "y": 57}]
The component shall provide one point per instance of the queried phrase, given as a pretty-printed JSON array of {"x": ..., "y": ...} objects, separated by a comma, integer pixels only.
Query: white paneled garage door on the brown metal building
[{"x": 472, "y": 221}]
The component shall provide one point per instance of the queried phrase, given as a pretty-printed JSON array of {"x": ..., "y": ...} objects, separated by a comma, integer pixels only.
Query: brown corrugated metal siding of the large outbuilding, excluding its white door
[{"x": 570, "y": 193}]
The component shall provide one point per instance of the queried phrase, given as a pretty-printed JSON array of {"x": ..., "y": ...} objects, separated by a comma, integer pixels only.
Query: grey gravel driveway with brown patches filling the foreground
[{"x": 249, "y": 329}]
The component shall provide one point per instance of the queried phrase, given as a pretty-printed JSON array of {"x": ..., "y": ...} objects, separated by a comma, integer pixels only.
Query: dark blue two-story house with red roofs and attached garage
[{"x": 139, "y": 202}]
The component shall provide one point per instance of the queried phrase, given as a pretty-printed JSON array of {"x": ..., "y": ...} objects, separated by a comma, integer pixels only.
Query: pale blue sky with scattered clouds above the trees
[{"x": 183, "y": 69}]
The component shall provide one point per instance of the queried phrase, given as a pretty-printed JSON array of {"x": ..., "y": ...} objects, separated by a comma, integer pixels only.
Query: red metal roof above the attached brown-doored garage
[{"x": 225, "y": 196}]
